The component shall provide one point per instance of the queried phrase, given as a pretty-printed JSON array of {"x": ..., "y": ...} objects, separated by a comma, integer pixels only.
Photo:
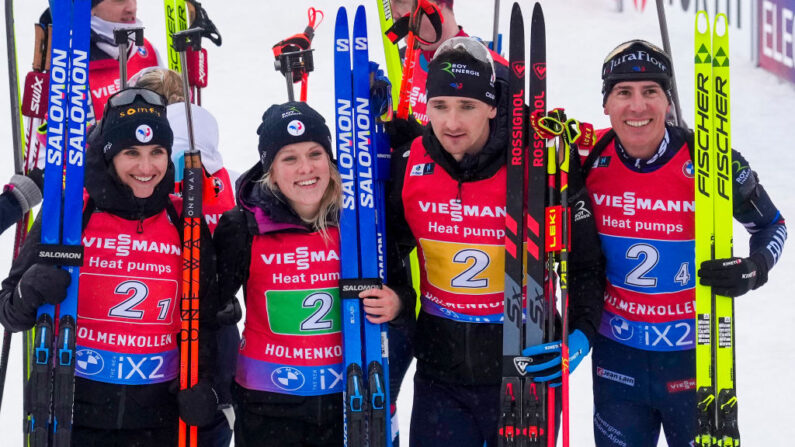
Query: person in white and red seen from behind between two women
[{"x": 217, "y": 198}]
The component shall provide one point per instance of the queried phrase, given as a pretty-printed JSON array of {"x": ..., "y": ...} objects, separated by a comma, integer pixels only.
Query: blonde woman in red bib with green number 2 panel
[{"x": 281, "y": 243}]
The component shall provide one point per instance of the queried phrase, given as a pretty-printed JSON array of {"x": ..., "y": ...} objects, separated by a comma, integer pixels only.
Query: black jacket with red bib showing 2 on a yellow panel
[{"x": 458, "y": 338}]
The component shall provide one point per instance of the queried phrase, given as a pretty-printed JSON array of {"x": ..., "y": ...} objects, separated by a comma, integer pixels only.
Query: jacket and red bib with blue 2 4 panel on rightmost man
[{"x": 646, "y": 222}]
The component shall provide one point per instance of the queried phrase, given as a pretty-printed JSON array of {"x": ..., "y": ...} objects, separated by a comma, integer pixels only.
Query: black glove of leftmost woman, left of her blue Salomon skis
[{"x": 41, "y": 284}]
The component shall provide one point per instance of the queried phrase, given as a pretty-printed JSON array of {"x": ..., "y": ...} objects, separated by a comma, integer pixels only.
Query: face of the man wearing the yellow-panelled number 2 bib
[{"x": 461, "y": 124}]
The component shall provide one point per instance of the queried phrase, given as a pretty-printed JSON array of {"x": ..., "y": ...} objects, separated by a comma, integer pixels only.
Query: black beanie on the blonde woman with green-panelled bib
[{"x": 289, "y": 123}]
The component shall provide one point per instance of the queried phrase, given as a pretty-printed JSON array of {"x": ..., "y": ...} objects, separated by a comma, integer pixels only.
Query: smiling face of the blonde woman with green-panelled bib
[{"x": 301, "y": 172}]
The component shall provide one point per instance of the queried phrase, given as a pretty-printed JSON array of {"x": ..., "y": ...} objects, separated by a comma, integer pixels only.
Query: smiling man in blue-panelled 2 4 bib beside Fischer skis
[{"x": 640, "y": 176}]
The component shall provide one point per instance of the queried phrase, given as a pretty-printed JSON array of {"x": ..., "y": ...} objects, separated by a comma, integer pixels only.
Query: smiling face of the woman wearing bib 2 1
[{"x": 141, "y": 168}]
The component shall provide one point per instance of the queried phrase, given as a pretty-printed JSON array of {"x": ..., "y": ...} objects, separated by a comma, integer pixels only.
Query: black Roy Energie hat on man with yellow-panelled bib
[{"x": 456, "y": 72}]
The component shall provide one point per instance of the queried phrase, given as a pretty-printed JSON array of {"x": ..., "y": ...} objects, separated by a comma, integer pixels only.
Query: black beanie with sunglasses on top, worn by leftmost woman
[{"x": 134, "y": 124}]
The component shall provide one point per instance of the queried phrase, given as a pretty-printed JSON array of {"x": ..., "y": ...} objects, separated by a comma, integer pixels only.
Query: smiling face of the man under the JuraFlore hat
[{"x": 637, "y": 111}]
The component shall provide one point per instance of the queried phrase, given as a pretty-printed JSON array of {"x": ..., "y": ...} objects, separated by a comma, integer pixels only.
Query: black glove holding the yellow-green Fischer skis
[{"x": 734, "y": 276}]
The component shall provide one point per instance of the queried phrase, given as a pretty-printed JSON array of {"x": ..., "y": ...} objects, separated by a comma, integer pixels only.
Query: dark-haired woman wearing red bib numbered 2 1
[{"x": 128, "y": 320}]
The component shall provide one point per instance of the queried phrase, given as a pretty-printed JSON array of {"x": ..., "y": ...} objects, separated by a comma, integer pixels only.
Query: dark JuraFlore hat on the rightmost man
[{"x": 636, "y": 60}]
